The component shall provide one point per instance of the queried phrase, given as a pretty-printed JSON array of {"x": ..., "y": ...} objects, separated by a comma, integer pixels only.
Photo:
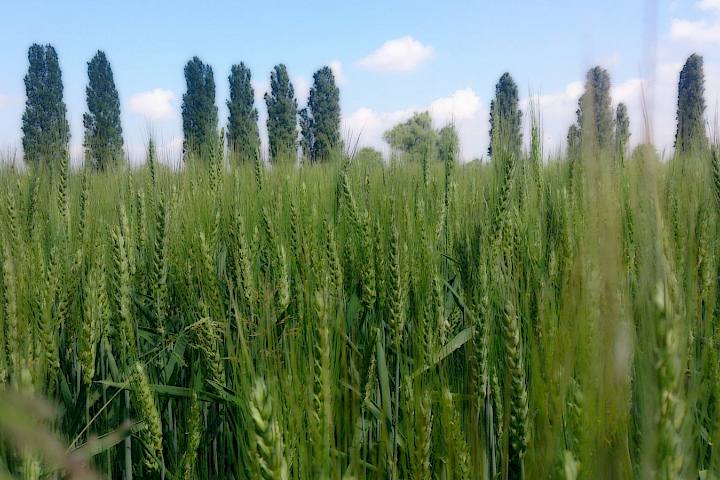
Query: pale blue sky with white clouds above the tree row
[{"x": 390, "y": 58}]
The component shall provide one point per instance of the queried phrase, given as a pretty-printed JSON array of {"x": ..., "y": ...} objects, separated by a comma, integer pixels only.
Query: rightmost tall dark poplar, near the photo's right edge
[{"x": 691, "y": 106}]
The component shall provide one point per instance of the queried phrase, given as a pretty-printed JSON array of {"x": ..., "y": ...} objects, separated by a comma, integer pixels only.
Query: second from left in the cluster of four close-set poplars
[{"x": 243, "y": 136}]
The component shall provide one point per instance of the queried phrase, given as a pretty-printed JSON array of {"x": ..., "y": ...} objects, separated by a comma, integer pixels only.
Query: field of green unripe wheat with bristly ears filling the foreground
[{"x": 513, "y": 319}]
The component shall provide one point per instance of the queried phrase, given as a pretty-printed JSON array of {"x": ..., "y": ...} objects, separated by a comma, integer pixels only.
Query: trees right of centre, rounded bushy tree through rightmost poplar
[{"x": 597, "y": 128}]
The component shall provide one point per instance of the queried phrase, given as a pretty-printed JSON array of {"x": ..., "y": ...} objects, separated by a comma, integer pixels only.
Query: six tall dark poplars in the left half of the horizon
[{"x": 46, "y": 131}]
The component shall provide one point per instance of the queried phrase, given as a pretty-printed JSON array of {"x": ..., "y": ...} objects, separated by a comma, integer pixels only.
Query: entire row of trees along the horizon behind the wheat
[{"x": 46, "y": 130}]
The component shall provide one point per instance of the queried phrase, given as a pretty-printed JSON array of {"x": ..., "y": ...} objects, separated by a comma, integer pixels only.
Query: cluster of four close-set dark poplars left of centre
[{"x": 319, "y": 121}]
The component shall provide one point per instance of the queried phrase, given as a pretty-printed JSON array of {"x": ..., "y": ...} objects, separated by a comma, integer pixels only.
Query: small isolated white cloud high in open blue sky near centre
[{"x": 400, "y": 55}]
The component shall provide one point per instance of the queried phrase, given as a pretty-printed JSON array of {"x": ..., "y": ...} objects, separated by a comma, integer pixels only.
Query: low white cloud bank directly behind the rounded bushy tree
[{"x": 365, "y": 127}]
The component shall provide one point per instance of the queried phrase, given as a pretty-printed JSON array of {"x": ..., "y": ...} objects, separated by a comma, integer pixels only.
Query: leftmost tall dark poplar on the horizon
[{"x": 44, "y": 124}]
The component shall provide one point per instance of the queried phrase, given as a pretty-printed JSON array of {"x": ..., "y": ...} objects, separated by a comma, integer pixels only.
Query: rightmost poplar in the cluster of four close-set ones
[{"x": 323, "y": 117}]
